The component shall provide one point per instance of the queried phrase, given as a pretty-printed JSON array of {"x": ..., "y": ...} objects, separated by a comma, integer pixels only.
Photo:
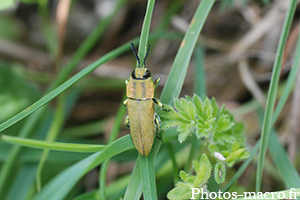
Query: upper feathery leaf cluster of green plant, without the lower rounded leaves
[{"x": 206, "y": 120}]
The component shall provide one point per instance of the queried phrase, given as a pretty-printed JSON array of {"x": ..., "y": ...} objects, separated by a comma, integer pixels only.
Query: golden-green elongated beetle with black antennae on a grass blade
[{"x": 142, "y": 119}]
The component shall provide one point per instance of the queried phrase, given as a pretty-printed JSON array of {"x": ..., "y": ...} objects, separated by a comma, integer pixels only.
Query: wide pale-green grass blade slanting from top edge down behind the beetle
[{"x": 174, "y": 83}]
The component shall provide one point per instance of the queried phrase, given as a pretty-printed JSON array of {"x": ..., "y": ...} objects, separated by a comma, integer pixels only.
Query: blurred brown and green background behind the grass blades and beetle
[{"x": 238, "y": 45}]
